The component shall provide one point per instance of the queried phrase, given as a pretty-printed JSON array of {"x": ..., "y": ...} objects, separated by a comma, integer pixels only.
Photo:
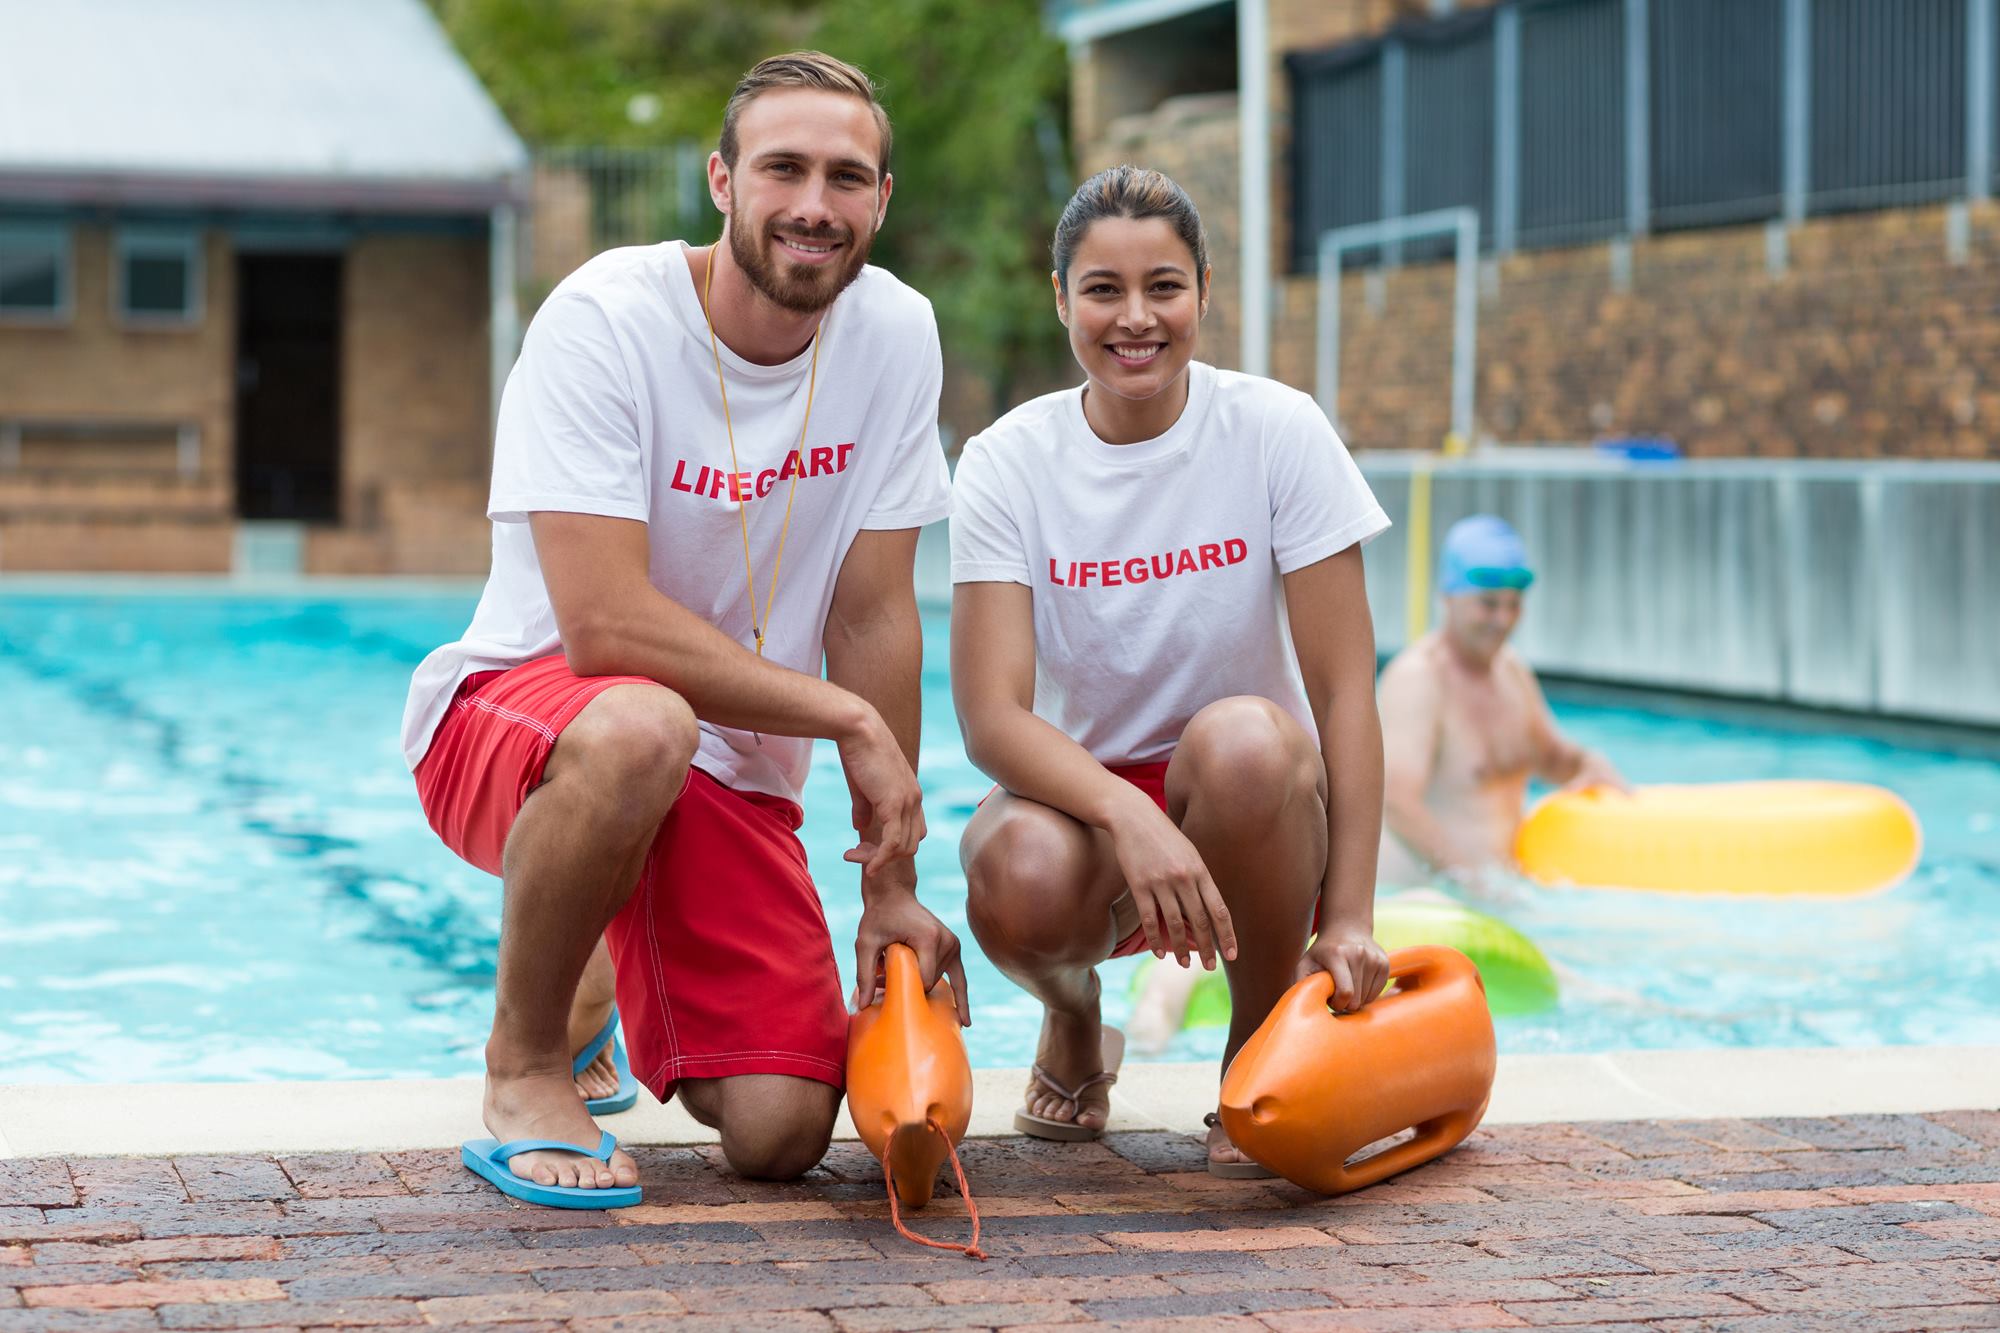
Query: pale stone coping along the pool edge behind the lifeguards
[{"x": 165, "y": 1120}]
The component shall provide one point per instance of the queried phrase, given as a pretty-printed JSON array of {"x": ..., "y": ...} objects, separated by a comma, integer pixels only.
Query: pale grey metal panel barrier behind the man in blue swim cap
[{"x": 1817, "y": 583}]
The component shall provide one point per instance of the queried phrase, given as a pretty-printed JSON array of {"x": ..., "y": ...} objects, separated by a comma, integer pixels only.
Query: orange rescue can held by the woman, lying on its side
[{"x": 1313, "y": 1088}]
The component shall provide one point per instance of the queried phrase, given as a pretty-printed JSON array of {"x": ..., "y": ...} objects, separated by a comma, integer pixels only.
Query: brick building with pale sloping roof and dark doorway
[{"x": 255, "y": 287}]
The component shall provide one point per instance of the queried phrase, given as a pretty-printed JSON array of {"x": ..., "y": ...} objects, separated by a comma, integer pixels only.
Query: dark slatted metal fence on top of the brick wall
[{"x": 1569, "y": 121}]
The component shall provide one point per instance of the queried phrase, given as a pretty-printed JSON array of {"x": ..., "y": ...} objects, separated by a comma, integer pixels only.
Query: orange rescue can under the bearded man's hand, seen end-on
[{"x": 909, "y": 1078}]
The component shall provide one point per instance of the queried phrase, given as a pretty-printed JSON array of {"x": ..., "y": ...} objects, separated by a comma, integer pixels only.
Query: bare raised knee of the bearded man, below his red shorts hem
[{"x": 633, "y": 746}]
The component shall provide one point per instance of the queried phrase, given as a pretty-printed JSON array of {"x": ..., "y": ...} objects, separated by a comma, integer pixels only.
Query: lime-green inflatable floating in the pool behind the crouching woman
[{"x": 1519, "y": 980}]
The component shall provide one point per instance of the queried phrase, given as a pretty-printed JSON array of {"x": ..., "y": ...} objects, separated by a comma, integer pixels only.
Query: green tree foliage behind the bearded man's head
[{"x": 975, "y": 91}]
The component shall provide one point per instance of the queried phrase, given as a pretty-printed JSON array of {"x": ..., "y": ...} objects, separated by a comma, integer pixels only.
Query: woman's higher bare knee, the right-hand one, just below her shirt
[{"x": 1245, "y": 762}]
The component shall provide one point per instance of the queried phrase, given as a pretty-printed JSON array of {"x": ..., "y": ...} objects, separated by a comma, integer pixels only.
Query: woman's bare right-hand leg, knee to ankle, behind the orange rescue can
[{"x": 1249, "y": 788}]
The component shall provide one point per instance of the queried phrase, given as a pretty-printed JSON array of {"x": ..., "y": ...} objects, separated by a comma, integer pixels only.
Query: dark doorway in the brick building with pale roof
[{"x": 289, "y": 387}]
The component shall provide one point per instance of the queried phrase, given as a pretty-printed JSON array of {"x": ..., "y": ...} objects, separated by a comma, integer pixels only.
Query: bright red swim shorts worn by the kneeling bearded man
[{"x": 725, "y": 964}]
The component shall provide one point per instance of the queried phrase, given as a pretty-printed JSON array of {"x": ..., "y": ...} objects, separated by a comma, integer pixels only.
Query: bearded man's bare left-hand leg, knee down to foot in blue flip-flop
[{"x": 571, "y": 864}]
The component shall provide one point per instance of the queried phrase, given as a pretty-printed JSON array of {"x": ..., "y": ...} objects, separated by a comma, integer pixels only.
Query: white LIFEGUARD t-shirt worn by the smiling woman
[{"x": 1157, "y": 565}]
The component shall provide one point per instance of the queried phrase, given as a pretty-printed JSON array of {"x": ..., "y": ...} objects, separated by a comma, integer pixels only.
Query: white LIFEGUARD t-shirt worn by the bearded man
[{"x": 613, "y": 409}]
